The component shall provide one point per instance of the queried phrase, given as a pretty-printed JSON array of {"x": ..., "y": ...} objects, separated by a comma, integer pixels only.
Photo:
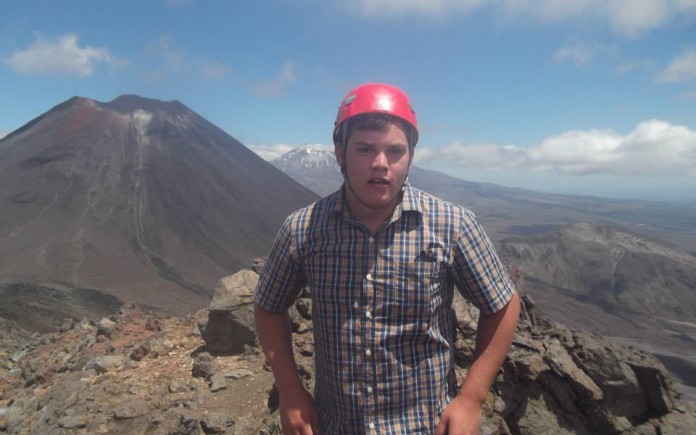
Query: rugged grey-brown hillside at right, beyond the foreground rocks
[{"x": 616, "y": 283}]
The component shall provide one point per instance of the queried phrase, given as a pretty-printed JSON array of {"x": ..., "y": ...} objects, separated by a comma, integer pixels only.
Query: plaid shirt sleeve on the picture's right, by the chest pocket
[{"x": 477, "y": 271}]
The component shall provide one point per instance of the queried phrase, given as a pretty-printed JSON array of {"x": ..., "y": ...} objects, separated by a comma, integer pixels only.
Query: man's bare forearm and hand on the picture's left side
[{"x": 297, "y": 410}]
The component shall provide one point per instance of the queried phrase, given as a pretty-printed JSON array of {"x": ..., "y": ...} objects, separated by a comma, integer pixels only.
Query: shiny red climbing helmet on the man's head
[{"x": 377, "y": 98}]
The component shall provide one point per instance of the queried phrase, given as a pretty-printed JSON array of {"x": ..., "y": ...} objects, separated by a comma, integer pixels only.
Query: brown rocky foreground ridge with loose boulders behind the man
[{"x": 139, "y": 372}]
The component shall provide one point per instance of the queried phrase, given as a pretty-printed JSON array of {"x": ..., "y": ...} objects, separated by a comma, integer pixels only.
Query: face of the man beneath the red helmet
[{"x": 377, "y": 163}]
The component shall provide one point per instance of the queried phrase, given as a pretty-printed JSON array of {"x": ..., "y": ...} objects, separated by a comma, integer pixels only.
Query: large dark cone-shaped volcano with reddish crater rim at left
[{"x": 139, "y": 198}]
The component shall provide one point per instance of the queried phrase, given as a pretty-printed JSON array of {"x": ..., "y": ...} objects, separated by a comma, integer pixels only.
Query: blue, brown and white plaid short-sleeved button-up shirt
[{"x": 383, "y": 327}]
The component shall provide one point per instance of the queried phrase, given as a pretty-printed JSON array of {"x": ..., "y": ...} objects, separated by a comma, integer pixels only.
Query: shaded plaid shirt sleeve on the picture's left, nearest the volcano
[{"x": 281, "y": 278}]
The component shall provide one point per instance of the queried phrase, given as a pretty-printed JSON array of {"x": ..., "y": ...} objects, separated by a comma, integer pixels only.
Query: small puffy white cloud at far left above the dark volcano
[{"x": 60, "y": 56}]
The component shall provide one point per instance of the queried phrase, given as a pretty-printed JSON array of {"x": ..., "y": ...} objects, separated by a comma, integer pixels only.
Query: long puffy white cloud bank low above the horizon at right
[{"x": 653, "y": 148}]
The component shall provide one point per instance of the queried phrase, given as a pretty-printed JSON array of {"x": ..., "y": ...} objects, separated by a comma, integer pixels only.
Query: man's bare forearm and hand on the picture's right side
[{"x": 493, "y": 338}]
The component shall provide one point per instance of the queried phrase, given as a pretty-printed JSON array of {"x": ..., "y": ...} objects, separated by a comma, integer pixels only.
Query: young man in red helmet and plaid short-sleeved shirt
[{"x": 381, "y": 259}]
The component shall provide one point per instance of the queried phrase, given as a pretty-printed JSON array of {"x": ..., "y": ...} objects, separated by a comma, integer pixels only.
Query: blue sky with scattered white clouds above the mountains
[{"x": 591, "y": 97}]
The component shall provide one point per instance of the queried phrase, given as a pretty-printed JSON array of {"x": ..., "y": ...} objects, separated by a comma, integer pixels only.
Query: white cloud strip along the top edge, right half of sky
[{"x": 630, "y": 18}]
